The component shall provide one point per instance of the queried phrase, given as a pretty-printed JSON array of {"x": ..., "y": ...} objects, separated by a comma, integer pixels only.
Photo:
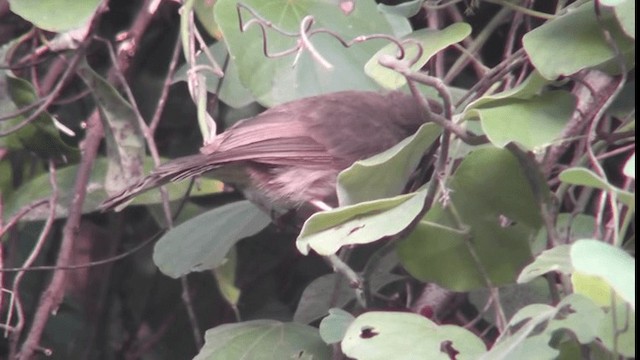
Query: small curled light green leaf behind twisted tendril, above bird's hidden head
[{"x": 432, "y": 41}]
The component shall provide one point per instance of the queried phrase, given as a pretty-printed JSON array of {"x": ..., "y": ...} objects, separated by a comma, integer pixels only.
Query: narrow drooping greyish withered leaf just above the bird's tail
[{"x": 125, "y": 144}]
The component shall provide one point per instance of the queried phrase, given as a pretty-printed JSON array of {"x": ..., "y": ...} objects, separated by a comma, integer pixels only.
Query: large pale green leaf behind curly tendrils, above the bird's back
[{"x": 276, "y": 80}]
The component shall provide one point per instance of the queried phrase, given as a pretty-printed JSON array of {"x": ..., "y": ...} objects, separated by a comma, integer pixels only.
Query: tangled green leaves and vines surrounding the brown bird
[{"x": 520, "y": 245}]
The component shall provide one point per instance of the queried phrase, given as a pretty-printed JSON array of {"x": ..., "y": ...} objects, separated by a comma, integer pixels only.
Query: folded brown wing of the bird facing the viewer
[{"x": 336, "y": 130}]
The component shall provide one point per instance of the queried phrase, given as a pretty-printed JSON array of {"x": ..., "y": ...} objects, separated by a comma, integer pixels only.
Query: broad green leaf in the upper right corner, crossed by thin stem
[{"x": 575, "y": 41}]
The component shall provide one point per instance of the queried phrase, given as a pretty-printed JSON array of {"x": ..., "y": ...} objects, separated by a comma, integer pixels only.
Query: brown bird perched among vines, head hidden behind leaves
[{"x": 291, "y": 154}]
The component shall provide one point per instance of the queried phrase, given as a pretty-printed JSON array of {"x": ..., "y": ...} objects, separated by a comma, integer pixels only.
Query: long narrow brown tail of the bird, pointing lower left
[{"x": 176, "y": 170}]
